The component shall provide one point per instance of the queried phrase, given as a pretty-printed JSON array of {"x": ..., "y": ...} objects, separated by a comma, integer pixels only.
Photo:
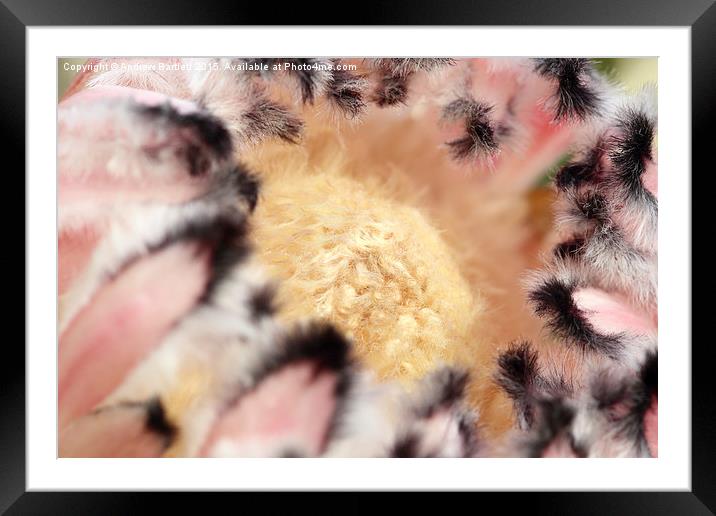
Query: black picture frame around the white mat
[{"x": 700, "y": 15}]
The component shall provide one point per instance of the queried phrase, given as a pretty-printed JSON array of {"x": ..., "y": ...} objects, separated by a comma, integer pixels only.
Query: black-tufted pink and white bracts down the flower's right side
[{"x": 597, "y": 295}]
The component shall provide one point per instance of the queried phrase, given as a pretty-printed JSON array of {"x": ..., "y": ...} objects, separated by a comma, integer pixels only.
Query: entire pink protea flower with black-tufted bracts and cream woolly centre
[{"x": 329, "y": 257}]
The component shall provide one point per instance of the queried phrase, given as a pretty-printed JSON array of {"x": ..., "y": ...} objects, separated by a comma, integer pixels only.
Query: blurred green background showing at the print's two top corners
[{"x": 632, "y": 72}]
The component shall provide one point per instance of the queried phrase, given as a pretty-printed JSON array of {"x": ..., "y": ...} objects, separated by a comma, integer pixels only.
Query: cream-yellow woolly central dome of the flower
[{"x": 344, "y": 251}]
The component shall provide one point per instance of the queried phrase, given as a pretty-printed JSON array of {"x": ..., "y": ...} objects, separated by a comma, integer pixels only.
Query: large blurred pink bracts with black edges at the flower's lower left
[{"x": 168, "y": 340}]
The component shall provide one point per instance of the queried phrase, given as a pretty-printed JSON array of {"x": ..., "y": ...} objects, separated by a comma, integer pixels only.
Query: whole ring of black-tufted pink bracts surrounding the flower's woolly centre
[{"x": 169, "y": 319}]
